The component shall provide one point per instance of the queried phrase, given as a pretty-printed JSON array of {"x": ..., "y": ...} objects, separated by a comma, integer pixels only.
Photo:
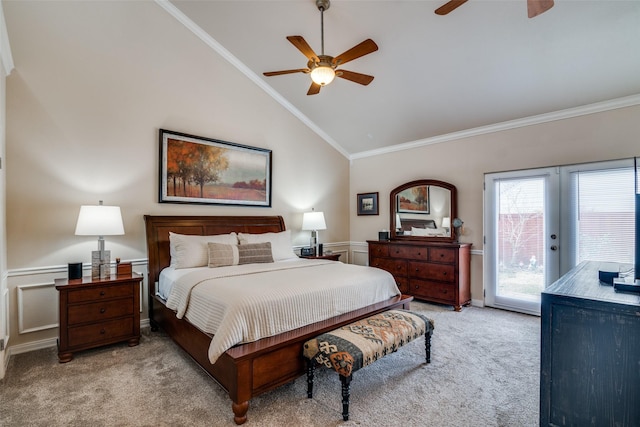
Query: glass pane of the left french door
[{"x": 520, "y": 233}]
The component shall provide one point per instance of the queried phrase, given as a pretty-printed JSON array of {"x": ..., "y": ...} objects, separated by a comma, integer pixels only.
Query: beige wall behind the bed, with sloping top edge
[{"x": 93, "y": 83}]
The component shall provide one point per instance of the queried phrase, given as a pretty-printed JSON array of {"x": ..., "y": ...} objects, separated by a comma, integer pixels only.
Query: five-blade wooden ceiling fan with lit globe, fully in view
[{"x": 323, "y": 68}]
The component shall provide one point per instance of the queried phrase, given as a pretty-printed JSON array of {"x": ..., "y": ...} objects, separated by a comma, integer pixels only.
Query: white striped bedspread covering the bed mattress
[{"x": 248, "y": 302}]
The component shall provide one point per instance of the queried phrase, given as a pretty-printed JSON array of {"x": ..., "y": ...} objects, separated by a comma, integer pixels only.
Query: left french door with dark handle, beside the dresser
[{"x": 522, "y": 237}]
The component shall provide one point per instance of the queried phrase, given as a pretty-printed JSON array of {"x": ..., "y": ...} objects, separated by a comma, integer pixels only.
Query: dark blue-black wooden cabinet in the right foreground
[{"x": 590, "y": 353}]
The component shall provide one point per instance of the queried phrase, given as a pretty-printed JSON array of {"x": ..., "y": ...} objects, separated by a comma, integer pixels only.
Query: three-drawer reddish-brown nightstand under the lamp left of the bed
[{"x": 97, "y": 312}]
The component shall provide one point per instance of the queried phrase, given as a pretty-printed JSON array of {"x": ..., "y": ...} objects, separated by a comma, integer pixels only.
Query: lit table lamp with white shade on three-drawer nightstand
[{"x": 100, "y": 221}]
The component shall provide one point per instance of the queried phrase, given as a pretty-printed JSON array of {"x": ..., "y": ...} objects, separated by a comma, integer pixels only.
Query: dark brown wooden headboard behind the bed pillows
[{"x": 158, "y": 228}]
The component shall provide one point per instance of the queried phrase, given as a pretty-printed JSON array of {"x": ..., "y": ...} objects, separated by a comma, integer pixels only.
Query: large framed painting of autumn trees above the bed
[{"x": 194, "y": 169}]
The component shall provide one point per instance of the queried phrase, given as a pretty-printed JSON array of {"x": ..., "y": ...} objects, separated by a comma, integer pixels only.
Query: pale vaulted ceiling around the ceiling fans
[{"x": 483, "y": 66}]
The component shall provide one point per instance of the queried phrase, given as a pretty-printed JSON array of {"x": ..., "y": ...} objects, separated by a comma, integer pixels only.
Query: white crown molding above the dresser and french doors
[{"x": 568, "y": 113}]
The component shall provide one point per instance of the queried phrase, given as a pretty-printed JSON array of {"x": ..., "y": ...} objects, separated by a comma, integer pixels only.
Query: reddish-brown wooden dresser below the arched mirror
[{"x": 429, "y": 271}]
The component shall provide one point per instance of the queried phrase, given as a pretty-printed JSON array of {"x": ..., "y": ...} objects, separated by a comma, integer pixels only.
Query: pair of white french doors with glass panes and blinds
[{"x": 540, "y": 223}]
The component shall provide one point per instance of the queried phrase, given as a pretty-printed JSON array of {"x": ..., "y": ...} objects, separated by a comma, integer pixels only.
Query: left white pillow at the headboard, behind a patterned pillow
[{"x": 192, "y": 251}]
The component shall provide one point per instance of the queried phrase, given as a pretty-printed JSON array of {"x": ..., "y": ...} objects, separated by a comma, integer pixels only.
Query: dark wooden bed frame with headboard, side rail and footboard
[{"x": 246, "y": 370}]
